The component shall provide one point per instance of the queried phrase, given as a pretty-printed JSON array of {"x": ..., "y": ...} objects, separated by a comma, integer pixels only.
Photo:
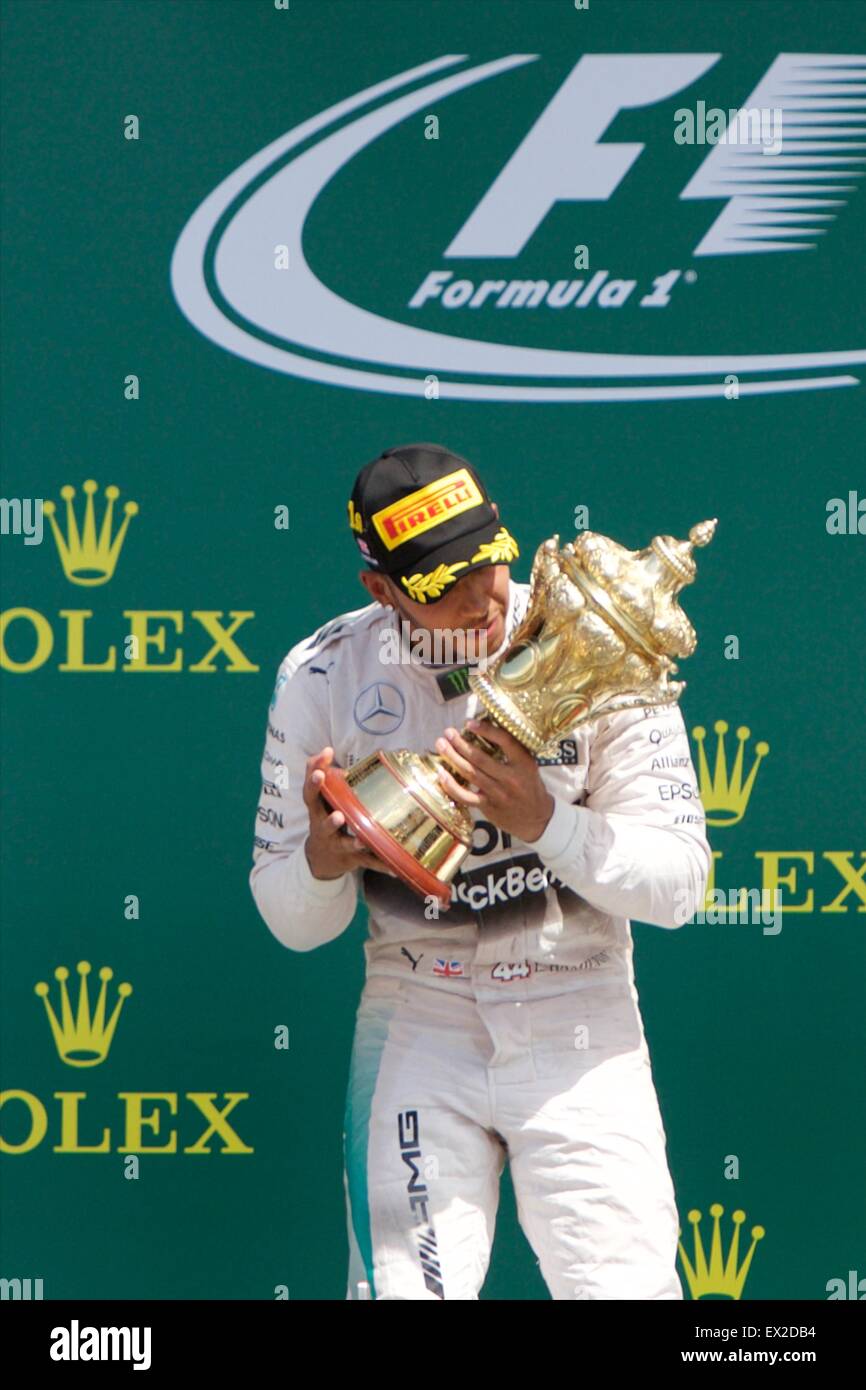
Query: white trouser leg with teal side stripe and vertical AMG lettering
[{"x": 422, "y": 1168}]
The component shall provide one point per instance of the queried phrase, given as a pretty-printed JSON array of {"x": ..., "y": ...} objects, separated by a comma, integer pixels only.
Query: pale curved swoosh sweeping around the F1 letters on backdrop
[{"x": 300, "y": 309}]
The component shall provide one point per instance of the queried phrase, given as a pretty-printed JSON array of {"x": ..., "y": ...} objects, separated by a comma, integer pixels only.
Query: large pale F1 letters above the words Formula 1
[{"x": 562, "y": 161}]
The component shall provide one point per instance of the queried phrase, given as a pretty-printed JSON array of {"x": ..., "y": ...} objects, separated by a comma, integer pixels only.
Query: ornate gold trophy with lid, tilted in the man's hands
[{"x": 601, "y": 633}]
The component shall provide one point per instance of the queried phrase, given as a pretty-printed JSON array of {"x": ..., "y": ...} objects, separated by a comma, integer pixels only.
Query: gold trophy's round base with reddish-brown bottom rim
[{"x": 397, "y": 807}]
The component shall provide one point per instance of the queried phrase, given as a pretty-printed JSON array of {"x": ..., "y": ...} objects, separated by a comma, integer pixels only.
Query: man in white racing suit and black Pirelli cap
[{"x": 507, "y": 1027}]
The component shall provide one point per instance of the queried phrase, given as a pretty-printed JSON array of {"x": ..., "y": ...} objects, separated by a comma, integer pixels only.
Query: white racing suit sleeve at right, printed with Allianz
[{"x": 639, "y": 846}]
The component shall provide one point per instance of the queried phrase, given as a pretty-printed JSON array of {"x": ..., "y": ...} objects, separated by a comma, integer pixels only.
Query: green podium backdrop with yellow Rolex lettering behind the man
[{"x": 133, "y": 786}]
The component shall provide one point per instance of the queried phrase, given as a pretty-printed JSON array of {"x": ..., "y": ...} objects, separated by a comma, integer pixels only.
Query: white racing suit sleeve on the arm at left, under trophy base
[{"x": 301, "y": 911}]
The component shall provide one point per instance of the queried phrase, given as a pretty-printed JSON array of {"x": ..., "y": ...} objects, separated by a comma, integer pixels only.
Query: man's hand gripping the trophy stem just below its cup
[{"x": 511, "y": 794}]
